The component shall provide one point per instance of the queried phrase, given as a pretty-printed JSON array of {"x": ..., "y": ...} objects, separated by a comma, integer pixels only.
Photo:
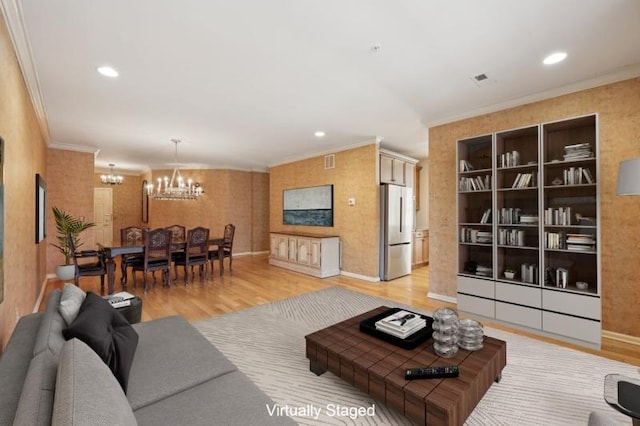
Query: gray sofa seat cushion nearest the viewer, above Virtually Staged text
[{"x": 231, "y": 399}]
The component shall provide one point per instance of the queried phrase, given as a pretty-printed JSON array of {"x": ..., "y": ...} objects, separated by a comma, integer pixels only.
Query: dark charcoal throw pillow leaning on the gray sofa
[{"x": 108, "y": 333}]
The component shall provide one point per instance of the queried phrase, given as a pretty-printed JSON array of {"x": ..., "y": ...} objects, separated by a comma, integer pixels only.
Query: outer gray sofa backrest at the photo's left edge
[{"x": 14, "y": 365}]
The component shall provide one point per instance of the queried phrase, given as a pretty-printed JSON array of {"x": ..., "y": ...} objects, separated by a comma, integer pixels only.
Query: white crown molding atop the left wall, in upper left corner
[{"x": 15, "y": 23}]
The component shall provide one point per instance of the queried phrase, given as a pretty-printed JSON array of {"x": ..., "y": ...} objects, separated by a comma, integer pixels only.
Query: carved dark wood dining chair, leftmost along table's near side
[{"x": 157, "y": 256}]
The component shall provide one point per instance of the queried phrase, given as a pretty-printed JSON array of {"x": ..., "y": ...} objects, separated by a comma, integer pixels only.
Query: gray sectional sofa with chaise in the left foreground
[{"x": 176, "y": 378}]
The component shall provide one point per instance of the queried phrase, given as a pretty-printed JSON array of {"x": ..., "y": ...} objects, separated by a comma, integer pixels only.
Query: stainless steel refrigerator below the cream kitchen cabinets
[{"x": 396, "y": 214}]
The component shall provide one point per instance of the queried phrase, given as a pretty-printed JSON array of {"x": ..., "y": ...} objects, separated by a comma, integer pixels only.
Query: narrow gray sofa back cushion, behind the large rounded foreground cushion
[{"x": 36, "y": 399}]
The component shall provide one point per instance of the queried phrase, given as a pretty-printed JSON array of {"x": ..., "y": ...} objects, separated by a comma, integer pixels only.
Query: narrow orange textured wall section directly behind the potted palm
[{"x": 70, "y": 188}]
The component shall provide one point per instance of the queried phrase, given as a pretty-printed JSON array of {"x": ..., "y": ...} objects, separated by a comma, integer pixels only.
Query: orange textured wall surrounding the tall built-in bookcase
[{"x": 618, "y": 106}]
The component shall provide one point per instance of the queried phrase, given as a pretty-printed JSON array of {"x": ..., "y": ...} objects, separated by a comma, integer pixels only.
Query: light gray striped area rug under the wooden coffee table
[{"x": 542, "y": 384}]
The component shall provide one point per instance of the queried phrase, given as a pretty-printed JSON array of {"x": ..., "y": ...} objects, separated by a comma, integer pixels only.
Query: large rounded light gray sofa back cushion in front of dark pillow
[{"x": 87, "y": 392}]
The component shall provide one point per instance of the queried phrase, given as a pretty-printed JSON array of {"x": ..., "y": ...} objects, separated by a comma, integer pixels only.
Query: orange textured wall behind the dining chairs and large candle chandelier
[{"x": 230, "y": 197}]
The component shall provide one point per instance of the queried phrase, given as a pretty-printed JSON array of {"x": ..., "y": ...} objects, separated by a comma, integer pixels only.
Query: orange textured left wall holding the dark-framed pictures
[{"x": 24, "y": 261}]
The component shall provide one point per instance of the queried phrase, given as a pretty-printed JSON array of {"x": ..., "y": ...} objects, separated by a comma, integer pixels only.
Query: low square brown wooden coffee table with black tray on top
[{"x": 377, "y": 368}]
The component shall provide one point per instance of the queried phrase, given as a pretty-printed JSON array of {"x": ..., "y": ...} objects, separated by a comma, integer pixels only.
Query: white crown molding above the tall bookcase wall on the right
[{"x": 626, "y": 73}]
